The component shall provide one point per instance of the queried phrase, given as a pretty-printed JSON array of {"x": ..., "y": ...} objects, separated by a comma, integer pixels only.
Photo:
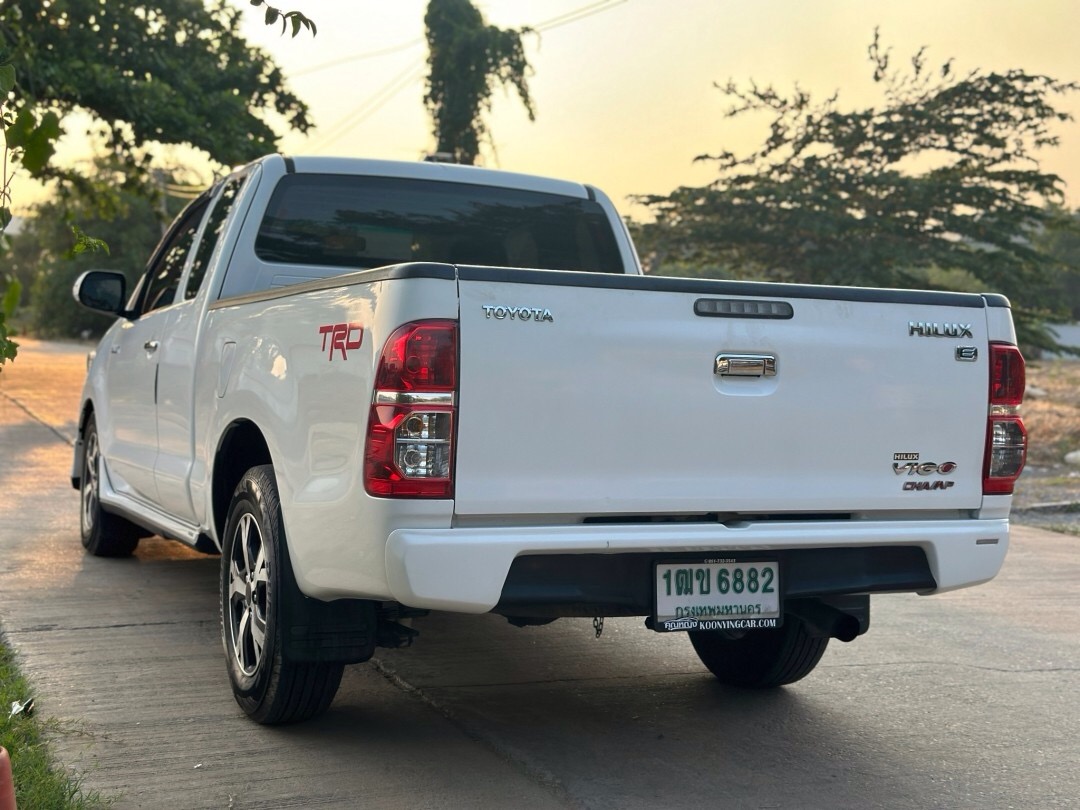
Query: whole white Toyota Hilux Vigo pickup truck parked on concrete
[{"x": 383, "y": 389}]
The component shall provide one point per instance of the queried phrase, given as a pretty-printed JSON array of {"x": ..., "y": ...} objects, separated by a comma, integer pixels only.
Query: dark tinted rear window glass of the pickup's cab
[{"x": 360, "y": 223}]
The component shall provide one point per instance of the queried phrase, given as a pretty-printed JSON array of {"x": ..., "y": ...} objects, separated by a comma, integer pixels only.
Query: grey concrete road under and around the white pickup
[{"x": 966, "y": 700}]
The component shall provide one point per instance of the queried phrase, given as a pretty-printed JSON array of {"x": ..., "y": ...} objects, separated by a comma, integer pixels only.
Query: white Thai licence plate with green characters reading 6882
[{"x": 718, "y": 595}]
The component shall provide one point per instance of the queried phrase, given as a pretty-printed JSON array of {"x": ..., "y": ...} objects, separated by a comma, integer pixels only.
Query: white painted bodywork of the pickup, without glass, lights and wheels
[{"x": 611, "y": 409}]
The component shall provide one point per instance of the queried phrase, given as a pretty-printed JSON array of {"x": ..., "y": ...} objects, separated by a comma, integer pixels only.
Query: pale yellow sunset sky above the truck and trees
[{"x": 625, "y": 91}]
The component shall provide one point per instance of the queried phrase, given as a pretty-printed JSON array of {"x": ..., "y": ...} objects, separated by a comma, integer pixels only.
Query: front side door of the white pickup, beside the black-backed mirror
[{"x": 130, "y": 427}]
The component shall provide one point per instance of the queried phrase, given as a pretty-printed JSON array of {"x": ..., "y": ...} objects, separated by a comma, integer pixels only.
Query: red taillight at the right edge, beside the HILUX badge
[{"x": 1006, "y": 437}]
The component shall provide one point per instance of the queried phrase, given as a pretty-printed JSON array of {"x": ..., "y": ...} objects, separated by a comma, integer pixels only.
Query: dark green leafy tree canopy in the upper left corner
[{"x": 163, "y": 72}]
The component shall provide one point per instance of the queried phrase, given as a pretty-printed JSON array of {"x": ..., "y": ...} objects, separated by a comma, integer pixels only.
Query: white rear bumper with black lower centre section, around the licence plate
[{"x": 580, "y": 571}]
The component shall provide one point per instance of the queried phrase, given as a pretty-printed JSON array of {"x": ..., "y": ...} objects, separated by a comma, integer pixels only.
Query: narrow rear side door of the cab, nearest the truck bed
[{"x": 177, "y": 376}]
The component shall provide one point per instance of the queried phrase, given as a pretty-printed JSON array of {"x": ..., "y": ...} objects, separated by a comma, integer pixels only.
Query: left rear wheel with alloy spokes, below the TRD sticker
[{"x": 254, "y": 586}]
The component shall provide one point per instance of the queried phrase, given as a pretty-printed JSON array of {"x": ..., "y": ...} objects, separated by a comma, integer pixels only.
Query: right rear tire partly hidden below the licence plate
[{"x": 762, "y": 658}]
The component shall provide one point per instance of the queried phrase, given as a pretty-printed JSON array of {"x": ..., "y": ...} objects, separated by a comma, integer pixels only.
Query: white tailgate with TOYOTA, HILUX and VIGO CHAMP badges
[{"x": 599, "y": 396}]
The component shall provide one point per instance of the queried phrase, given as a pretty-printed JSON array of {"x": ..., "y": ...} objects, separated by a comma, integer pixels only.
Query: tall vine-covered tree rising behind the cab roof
[{"x": 468, "y": 59}]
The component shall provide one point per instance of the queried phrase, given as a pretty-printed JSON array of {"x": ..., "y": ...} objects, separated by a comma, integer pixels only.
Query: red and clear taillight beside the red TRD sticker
[{"x": 410, "y": 450}]
